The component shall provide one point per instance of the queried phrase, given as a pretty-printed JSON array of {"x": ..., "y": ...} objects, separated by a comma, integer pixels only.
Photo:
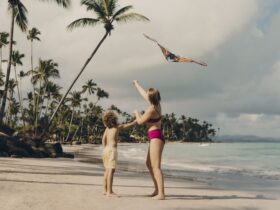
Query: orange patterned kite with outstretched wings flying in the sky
[{"x": 169, "y": 56}]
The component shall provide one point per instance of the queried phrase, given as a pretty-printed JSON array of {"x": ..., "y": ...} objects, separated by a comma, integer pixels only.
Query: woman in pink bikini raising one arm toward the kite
[{"x": 152, "y": 117}]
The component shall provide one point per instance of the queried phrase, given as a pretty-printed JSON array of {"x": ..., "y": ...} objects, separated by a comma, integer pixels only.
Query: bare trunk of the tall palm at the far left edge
[{"x": 3, "y": 105}]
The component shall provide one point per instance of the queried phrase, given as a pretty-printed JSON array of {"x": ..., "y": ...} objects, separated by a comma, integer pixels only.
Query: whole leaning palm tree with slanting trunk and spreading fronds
[{"x": 107, "y": 13}]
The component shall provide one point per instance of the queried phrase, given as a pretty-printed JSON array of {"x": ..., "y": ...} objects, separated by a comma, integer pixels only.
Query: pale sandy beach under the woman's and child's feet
[{"x": 60, "y": 184}]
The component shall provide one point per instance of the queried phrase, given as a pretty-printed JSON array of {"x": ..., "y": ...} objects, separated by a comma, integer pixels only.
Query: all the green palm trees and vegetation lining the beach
[{"x": 70, "y": 117}]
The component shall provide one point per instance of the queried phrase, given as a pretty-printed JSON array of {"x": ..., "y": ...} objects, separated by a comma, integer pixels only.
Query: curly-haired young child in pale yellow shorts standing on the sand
[{"x": 109, "y": 142}]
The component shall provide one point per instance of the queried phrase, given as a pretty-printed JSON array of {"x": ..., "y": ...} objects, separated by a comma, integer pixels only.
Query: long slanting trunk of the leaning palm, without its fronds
[{"x": 81, "y": 71}]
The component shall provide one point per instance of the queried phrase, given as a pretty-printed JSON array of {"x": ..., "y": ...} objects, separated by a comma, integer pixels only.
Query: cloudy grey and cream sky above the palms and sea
[{"x": 239, "y": 91}]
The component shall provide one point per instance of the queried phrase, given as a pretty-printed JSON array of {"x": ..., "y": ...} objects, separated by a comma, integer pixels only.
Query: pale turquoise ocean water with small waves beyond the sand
[{"x": 253, "y": 166}]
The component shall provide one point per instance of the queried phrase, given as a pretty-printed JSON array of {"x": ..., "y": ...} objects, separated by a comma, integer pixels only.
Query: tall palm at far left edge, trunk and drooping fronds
[{"x": 18, "y": 15}]
